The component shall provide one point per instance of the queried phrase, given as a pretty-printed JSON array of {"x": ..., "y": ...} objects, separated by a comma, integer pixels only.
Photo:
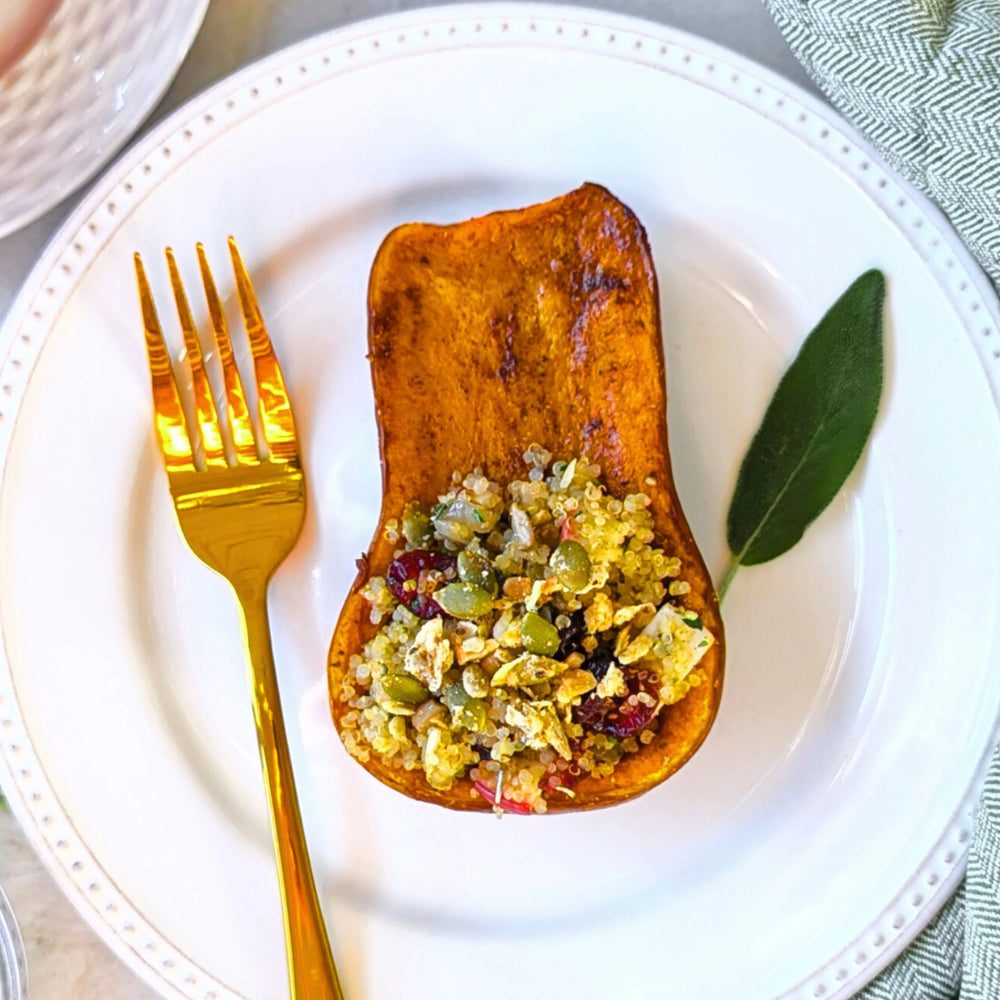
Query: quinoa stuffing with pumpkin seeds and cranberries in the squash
[{"x": 527, "y": 637}]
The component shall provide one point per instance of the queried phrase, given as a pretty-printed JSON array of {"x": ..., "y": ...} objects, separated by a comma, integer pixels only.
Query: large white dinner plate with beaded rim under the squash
[{"x": 826, "y": 818}]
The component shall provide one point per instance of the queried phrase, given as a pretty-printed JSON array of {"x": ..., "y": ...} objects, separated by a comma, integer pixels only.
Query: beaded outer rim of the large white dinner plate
[{"x": 344, "y": 50}]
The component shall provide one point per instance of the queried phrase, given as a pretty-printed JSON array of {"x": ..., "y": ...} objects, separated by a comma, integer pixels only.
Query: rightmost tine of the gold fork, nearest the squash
[{"x": 275, "y": 407}]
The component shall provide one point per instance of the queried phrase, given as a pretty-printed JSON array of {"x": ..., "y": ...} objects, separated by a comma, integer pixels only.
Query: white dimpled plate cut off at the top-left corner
[{"x": 73, "y": 100}]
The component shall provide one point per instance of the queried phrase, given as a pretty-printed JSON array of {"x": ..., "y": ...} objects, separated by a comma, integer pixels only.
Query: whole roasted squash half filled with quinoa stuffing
[{"x": 533, "y": 628}]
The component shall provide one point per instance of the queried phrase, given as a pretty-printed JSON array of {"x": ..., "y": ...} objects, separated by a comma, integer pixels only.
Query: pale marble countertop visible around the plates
[{"x": 66, "y": 959}]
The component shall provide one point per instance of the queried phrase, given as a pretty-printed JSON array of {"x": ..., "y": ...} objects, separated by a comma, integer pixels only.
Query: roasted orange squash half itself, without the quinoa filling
[{"x": 535, "y": 325}]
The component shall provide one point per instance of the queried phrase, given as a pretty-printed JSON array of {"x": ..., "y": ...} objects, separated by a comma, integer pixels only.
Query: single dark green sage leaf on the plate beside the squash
[{"x": 814, "y": 430}]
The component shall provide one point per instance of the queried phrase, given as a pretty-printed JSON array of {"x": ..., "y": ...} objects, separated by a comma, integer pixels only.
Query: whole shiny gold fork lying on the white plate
[{"x": 242, "y": 516}]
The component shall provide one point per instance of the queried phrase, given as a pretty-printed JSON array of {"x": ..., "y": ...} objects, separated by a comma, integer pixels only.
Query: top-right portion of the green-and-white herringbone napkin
[{"x": 921, "y": 79}]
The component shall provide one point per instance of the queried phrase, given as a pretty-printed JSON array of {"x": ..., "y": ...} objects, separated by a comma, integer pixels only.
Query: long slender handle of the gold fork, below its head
[{"x": 311, "y": 971}]
